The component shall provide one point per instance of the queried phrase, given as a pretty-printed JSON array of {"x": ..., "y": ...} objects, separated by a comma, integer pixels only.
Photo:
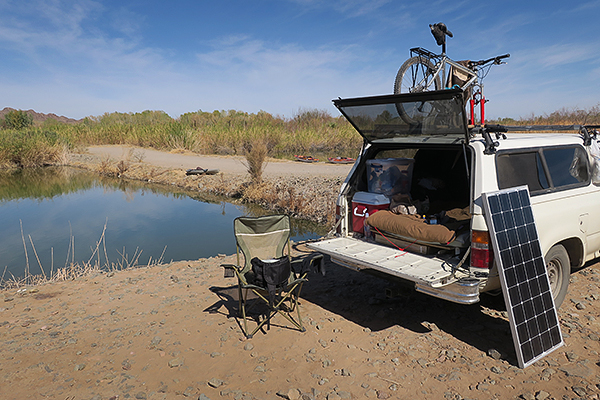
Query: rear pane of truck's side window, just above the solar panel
[{"x": 517, "y": 169}]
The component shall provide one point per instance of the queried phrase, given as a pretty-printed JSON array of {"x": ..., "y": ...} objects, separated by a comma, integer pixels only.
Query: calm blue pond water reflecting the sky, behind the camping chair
[{"x": 60, "y": 214}]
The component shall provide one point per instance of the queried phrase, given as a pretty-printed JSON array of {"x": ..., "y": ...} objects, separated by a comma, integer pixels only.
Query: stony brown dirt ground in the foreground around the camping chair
[{"x": 171, "y": 332}]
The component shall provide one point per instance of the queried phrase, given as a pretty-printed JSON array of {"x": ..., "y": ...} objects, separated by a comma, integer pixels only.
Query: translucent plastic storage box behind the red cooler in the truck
[{"x": 390, "y": 176}]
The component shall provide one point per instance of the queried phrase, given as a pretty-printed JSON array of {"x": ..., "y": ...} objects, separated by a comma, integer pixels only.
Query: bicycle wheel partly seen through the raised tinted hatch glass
[{"x": 414, "y": 76}]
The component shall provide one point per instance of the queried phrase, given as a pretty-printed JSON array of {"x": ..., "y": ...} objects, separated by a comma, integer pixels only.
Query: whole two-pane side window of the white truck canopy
[{"x": 543, "y": 169}]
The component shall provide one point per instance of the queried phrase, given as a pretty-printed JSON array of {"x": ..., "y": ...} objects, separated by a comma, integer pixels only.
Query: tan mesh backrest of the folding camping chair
[{"x": 263, "y": 237}]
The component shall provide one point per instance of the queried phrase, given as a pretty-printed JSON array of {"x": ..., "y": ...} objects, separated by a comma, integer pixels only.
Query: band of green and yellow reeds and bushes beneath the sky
[{"x": 24, "y": 143}]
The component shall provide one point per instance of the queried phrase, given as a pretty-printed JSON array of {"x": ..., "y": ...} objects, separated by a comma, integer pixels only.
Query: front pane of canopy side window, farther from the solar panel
[{"x": 567, "y": 165}]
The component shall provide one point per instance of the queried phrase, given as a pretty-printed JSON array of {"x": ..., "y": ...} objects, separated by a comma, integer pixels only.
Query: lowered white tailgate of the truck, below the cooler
[{"x": 358, "y": 254}]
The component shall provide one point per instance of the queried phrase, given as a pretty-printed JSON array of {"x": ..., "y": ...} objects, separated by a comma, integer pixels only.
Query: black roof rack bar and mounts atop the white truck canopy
[{"x": 586, "y": 131}]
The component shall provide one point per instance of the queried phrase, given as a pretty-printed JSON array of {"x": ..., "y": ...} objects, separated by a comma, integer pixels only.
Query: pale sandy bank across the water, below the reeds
[{"x": 307, "y": 191}]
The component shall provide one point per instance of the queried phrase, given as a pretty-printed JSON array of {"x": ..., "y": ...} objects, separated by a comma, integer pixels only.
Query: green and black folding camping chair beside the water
[{"x": 262, "y": 241}]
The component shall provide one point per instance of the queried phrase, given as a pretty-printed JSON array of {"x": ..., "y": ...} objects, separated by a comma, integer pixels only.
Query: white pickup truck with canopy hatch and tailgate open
[{"x": 421, "y": 161}]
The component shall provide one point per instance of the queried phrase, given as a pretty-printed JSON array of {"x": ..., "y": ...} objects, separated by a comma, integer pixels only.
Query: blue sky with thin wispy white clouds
[{"x": 84, "y": 57}]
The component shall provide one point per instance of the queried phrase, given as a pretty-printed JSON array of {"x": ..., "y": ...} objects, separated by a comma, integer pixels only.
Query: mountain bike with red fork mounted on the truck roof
[{"x": 422, "y": 71}]
